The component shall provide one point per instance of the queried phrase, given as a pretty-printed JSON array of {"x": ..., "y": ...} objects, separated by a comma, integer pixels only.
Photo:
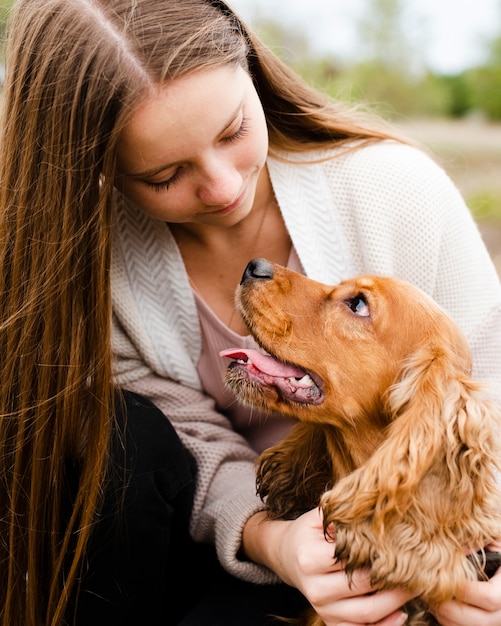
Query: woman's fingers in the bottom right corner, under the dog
[{"x": 480, "y": 605}]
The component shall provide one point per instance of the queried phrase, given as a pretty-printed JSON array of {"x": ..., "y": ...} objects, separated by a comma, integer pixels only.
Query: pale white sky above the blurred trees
[{"x": 451, "y": 34}]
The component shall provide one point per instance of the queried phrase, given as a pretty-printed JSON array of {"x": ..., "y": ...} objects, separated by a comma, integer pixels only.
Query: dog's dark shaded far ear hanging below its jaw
[{"x": 293, "y": 474}]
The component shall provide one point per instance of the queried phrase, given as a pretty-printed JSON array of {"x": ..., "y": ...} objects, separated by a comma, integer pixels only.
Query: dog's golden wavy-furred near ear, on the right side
[{"x": 440, "y": 418}]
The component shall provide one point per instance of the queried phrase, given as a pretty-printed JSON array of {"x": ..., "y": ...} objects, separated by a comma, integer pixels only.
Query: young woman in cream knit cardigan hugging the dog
[{"x": 150, "y": 149}]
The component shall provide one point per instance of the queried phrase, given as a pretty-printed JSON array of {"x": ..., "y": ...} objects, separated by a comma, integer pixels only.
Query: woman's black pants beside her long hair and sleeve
[{"x": 143, "y": 568}]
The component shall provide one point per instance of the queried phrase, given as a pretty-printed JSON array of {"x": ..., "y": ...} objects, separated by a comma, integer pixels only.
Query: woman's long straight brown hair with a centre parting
[{"x": 76, "y": 69}]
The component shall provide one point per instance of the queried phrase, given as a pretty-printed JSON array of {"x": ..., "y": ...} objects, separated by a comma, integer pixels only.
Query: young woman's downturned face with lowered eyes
[{"x": 193, "y": 151}]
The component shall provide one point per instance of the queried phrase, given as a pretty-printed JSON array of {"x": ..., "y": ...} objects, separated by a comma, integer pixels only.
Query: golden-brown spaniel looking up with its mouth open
[{"x": 392, "y": 438}]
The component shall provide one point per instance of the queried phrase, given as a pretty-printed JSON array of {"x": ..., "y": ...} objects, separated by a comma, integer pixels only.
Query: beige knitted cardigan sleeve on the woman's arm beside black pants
[{"x": 226, "y": 493}]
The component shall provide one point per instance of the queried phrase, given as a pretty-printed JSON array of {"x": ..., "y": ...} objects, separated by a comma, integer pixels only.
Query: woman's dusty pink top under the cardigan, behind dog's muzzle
[{"x": 259, "y": 428}]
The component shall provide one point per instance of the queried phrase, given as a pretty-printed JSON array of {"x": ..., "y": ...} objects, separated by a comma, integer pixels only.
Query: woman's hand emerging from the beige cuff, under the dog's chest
[{"x": 299, "y": 554}]
